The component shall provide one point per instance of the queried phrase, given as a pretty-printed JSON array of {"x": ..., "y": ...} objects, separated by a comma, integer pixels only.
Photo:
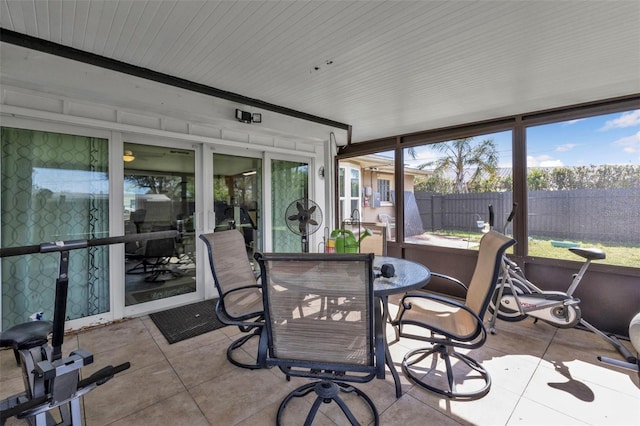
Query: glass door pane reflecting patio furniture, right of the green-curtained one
[{"x": 159, "y": 195}]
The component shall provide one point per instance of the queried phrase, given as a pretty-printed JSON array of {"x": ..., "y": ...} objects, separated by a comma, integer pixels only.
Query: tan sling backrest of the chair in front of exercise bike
[{"x": 487, "y": 271}]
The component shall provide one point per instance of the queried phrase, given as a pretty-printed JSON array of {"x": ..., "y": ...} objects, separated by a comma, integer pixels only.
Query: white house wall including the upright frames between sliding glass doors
[{"x": 47, "y": 92}]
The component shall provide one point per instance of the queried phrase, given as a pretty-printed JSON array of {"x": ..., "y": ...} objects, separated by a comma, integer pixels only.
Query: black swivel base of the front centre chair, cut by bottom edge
[{"x": 327, "y": 392}]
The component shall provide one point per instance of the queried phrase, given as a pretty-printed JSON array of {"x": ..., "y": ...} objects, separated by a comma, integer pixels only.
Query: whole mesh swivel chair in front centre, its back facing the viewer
[{"x": 321, "y": 323}]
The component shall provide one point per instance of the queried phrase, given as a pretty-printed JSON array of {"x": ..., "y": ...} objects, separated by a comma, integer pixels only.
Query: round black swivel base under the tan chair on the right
[{"x": 413, "y": 358}]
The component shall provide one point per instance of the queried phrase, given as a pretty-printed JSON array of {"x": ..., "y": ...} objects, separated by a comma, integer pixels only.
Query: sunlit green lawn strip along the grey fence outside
[{"x": 617, "y": 253}]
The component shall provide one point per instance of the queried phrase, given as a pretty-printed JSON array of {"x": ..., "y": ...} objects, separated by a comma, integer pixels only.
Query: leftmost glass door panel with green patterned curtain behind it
[{"x": 54, "y": 187}]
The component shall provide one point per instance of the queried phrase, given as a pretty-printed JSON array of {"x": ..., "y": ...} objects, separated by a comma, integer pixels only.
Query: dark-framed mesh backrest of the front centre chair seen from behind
[{"x": 319, "y": 311}]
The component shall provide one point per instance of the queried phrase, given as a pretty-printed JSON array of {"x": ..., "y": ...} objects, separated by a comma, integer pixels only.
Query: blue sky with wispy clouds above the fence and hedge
[{"x": 605, "y": 139}]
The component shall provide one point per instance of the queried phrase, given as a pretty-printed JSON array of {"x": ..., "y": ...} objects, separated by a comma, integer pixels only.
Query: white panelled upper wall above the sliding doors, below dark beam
[{"x": 49, "y": 89}]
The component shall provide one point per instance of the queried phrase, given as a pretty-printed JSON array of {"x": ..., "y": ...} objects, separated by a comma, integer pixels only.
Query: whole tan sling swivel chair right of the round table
[{"x": 448, "y": 324}]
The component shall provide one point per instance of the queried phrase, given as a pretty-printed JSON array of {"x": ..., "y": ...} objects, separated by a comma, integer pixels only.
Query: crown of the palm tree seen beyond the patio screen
[{"x": 466, "y": 159}]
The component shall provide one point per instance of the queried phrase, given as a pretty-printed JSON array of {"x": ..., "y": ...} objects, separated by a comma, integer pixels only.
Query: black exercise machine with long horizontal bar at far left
[{"x": 52, "y": 381}]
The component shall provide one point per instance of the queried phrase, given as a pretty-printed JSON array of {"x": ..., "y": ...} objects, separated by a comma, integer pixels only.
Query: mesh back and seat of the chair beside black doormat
[{"x": 230, "y": 267}]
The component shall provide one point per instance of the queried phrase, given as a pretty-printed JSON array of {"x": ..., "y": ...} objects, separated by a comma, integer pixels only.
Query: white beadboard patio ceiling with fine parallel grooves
[{"x": 383, "y": 67}]
